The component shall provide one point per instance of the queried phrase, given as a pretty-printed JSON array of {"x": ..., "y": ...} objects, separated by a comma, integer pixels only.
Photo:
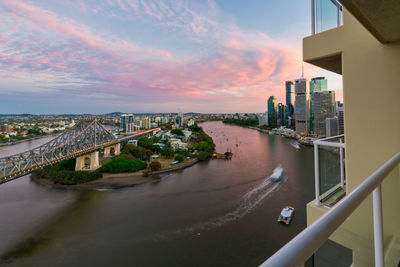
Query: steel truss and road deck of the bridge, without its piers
[{"x": 16, "y": 166}]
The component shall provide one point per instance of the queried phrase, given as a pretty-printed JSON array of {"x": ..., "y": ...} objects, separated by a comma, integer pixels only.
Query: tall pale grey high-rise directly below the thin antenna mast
[{"x": 302, "y": 108}]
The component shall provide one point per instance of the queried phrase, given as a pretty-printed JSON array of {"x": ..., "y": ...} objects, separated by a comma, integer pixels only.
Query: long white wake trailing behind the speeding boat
[{"x": 247, "y": 203}]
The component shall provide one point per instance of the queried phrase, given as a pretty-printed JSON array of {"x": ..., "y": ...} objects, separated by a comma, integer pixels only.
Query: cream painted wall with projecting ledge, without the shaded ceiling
[{"x": 371, "y": 94}]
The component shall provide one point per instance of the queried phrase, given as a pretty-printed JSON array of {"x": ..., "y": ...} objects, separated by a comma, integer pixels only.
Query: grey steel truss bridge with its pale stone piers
[{"x": 83, "y": 141}]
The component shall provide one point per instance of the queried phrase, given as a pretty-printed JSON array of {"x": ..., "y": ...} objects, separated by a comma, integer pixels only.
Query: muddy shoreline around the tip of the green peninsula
[{"x": 111, "y": 181}]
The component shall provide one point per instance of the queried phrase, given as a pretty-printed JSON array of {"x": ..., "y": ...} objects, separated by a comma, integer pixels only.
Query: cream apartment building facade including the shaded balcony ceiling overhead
[{"x": 365, "y": 50}]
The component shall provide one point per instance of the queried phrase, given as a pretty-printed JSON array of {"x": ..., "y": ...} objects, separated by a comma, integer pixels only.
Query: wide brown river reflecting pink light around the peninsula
[{"x": 215, "y": 213}]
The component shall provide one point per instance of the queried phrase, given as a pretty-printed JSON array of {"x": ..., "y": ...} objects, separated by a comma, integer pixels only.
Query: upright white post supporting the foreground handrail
[{"x": 378, "y": 228}]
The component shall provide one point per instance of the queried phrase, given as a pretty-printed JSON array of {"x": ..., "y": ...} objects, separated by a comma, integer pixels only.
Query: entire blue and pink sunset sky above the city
[{"x": 100, "y": 56}]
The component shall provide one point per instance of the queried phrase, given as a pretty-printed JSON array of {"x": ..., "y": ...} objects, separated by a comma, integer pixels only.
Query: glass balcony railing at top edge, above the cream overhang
[{"x": 325, "y": 15}]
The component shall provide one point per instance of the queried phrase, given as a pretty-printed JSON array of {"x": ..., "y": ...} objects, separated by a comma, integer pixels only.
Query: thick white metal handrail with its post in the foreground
[{"x": 300, "y": 248}]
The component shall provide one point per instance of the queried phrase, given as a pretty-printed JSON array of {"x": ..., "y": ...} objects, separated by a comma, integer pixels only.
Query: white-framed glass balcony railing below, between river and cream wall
[{"x": 329, "y": 171}]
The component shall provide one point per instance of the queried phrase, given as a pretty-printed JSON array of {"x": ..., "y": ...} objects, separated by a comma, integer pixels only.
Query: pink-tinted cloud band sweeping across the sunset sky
[{"x": 242, "y": 70}]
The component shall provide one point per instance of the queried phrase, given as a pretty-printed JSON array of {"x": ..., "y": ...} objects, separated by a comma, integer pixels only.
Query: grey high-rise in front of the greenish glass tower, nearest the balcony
[{"x": 324, "y": 107}]
